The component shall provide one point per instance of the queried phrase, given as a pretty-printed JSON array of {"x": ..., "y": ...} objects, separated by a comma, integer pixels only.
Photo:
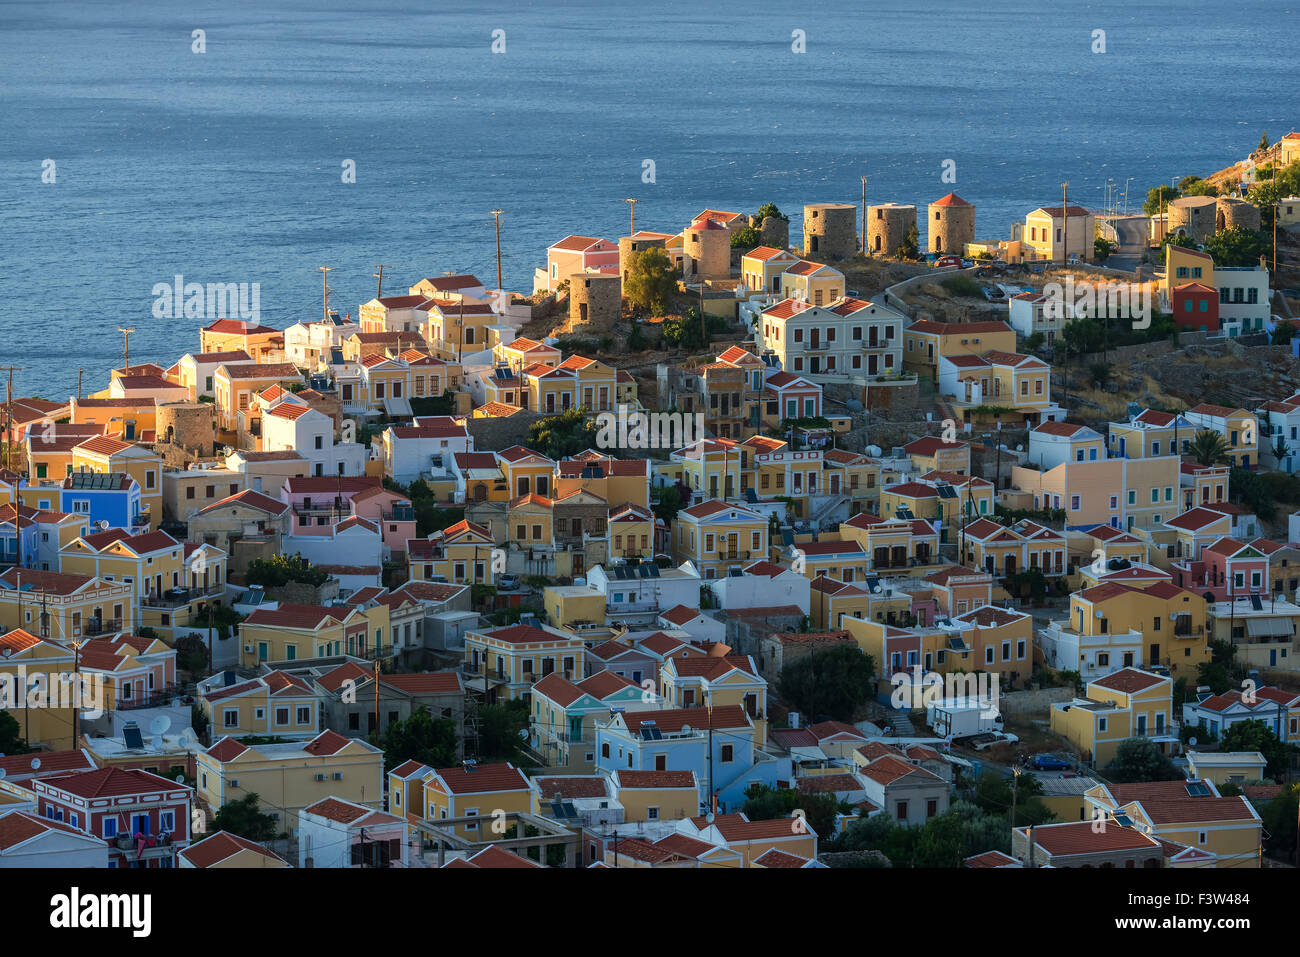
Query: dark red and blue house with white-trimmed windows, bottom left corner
[{"x": 142, "y": 819}]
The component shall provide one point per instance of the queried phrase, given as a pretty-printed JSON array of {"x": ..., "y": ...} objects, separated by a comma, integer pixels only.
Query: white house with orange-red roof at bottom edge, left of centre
[{"x": 341, "y": 834}]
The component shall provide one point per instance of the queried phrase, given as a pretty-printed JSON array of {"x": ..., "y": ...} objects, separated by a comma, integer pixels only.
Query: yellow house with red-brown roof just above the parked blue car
[{"x": 1126, "y": 704}]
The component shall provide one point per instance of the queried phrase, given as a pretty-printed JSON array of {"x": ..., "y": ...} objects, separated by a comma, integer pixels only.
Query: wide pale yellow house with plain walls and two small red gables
[{"x": 292, "y": 776}]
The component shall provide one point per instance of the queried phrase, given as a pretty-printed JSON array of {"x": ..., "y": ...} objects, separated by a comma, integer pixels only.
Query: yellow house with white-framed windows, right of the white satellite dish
[{"x": 274, "y": 705}]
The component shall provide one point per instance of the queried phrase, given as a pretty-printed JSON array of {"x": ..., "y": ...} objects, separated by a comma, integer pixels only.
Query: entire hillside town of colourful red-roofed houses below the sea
[{"x": 729, "y": 544}]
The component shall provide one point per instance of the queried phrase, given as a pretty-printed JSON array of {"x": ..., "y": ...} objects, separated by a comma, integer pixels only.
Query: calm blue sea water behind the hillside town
[{"x": 226, "y": 167}]
